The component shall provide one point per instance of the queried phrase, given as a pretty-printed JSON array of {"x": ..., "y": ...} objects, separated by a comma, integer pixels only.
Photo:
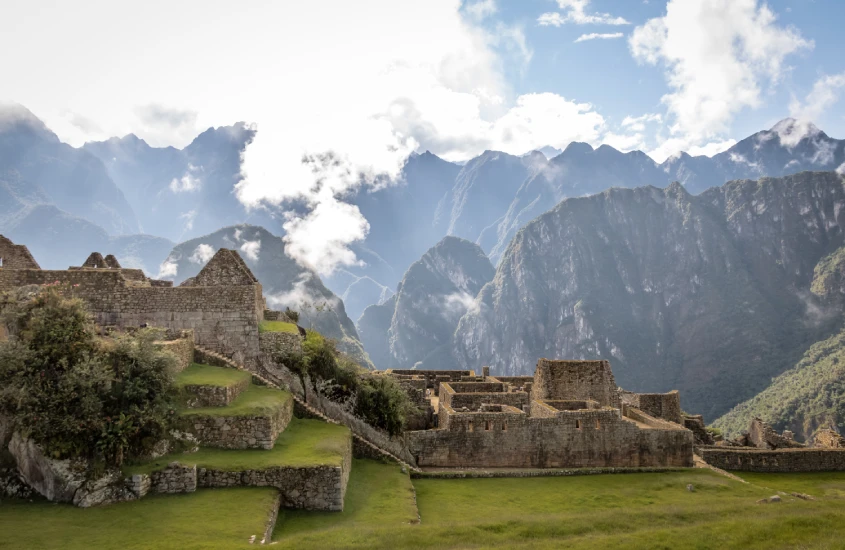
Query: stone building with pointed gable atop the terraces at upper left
[{"x": 223, "y": 304}]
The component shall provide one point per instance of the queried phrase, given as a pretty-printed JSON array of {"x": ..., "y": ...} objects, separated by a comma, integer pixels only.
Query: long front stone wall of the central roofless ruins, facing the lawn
[{"x": 564, "y": 439}]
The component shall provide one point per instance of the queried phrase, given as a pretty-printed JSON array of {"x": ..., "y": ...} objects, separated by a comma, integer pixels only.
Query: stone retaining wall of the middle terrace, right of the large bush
[{"x": 239, "y": 432}]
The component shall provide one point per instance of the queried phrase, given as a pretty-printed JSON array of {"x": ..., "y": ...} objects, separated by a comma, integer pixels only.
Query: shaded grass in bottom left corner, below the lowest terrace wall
[{"x": 209, "y": 518}]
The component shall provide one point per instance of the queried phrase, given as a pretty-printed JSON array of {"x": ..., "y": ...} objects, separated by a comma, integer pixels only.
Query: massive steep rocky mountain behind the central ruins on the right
[{"x": 708, "y": 294}]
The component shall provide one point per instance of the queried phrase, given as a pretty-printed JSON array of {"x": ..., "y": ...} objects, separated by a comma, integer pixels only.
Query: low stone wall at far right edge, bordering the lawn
[{"x": 779, "y": 460}]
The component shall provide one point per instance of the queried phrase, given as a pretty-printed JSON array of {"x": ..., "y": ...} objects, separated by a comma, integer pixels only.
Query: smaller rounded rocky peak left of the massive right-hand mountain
[{"x": 421, "y": 319}]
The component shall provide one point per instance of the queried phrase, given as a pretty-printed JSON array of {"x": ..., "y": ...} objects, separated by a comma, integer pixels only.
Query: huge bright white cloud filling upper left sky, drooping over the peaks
[{"x": 363, "y": 81}]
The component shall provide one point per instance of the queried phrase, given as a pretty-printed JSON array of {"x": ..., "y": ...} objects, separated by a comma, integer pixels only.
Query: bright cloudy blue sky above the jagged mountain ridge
[{"x": 342, "y": 92}]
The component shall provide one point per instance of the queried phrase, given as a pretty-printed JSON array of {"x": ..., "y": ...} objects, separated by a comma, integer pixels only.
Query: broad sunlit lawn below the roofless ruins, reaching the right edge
[{"x": 604, "y": 511}]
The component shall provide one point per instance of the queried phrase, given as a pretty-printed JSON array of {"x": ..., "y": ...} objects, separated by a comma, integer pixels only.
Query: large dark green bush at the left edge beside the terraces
[{"x": 74, "y": 393}]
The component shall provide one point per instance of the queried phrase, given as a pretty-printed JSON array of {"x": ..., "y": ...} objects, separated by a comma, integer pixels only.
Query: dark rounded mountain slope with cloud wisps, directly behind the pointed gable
[{"x": 285, "y": 283}]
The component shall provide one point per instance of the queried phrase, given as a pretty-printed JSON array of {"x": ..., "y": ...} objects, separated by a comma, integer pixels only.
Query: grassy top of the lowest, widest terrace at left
[{"x": 305, "y": 442}]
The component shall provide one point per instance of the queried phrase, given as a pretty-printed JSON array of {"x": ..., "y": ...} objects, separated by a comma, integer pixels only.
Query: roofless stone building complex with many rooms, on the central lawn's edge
[{"x": 569, "y": 414}]
